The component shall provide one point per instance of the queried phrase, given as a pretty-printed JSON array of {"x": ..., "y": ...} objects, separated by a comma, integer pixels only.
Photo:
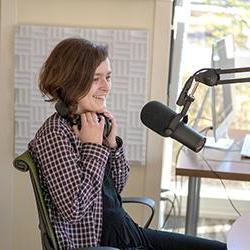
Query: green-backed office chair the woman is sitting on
[{"x": 24, "y": 163}]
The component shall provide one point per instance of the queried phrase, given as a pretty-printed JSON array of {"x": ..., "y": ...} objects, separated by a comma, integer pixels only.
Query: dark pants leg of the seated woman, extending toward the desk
[{"x": 161, "y": 240}]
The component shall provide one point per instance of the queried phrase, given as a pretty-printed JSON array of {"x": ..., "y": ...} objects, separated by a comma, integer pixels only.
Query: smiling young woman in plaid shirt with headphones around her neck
[{"x": 83, "y": 168}]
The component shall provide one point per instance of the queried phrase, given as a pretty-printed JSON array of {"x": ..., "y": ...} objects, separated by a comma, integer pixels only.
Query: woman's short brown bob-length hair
[{"x": 68, "y": 72}]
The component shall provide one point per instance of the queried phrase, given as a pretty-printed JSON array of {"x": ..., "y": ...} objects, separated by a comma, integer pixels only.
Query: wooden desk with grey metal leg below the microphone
[{"x": 224, "y": 164}]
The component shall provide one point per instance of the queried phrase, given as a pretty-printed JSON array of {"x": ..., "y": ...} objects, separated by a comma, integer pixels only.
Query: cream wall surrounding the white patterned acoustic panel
[{"x": 18, "y": 227}]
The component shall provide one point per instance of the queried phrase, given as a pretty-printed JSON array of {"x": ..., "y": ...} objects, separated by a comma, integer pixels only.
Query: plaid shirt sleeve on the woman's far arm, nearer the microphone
[{"x": 119, "y": 166}]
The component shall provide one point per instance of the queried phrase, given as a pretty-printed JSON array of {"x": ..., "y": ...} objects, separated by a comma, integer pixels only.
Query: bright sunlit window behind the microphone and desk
[{"x": 198, "y": 26}]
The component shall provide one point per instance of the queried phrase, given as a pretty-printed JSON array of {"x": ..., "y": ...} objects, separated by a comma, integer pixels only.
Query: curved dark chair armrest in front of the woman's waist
[{"x": 144, "y": 201}]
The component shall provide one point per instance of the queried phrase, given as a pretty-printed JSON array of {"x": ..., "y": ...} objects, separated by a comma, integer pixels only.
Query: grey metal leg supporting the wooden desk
[{"x": 193, "y": 203}]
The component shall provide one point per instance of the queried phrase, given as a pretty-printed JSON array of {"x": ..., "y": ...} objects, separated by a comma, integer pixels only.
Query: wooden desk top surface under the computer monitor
[{"x": 215, "y": 163}]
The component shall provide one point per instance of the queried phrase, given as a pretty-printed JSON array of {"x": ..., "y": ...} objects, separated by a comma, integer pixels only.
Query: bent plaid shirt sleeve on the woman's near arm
[{"x": 74, "y": 177}]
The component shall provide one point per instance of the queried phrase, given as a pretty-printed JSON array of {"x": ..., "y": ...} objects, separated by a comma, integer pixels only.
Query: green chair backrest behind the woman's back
[{"x": 24, "y": 163}]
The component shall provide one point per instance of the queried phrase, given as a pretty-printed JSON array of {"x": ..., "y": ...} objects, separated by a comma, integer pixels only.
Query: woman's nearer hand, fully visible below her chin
[{"x": 91, "y": 129}]
